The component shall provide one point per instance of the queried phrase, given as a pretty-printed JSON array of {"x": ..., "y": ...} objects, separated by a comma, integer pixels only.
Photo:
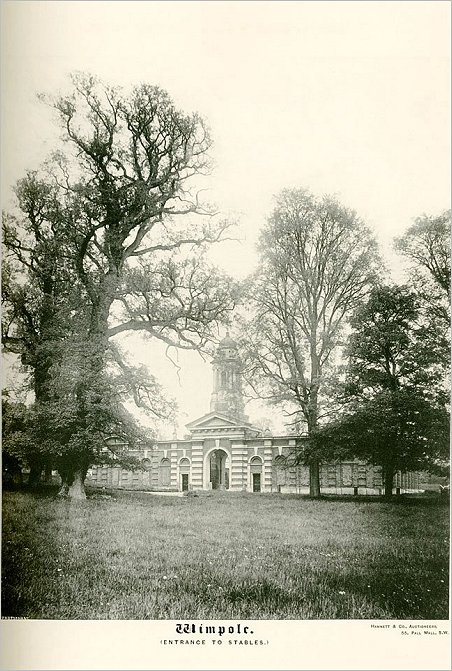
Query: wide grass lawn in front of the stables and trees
[{"x": 244, "y": 556}]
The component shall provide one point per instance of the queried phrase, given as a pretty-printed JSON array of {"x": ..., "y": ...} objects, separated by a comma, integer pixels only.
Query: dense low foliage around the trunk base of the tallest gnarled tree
[{"x": 77, "y": 437}]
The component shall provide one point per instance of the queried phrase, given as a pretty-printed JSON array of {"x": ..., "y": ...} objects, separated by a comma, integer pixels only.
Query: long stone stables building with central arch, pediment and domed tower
[{"x": 223, "y": 450}]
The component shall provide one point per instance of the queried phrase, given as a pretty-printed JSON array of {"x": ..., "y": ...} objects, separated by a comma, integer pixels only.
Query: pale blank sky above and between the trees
[{"x": 351, "y": 98}]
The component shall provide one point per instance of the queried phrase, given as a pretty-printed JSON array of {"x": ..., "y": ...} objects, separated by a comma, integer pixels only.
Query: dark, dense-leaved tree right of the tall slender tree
[{"x": 396, "y": 415}]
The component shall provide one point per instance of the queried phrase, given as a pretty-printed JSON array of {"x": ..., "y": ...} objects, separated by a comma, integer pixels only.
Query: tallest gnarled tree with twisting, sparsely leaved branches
[{"x": 118, "y": 189}]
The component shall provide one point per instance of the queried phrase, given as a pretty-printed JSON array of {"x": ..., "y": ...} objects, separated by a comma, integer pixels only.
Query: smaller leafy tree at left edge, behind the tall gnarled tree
[{"x": 39, "y": 289}]
